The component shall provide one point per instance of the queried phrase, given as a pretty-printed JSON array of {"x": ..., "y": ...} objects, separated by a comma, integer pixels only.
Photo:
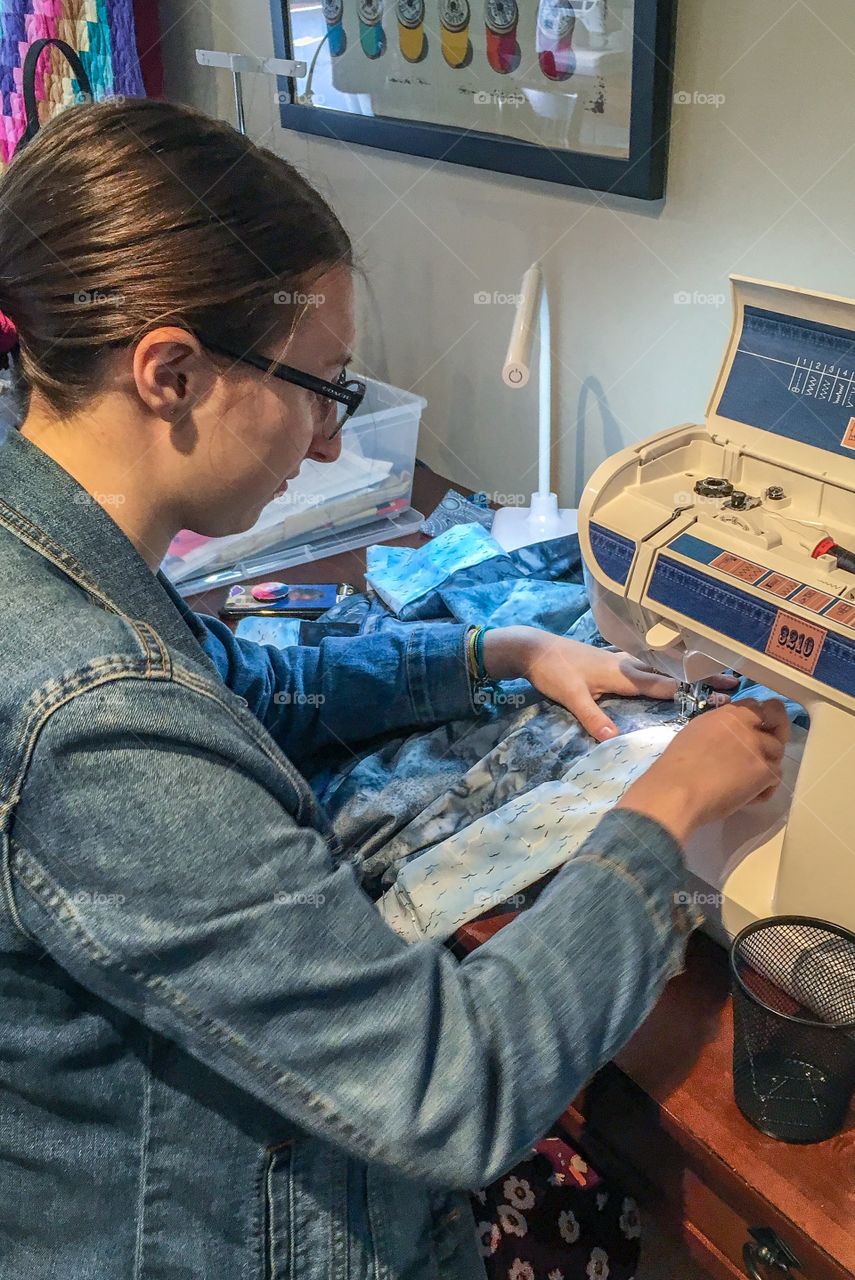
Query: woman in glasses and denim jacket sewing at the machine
[{"x": 217, "y": 1060}]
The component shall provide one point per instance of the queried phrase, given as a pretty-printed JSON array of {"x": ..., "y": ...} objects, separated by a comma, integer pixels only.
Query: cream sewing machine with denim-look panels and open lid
[{"x": 731, "y": 545}]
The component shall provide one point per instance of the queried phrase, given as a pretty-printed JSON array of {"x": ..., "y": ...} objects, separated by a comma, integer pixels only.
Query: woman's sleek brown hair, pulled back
[{"x": 120, "y": 218}]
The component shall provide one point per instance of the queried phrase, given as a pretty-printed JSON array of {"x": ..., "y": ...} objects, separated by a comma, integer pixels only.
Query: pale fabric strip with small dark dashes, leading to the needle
[{"x": 491, "y": 861}]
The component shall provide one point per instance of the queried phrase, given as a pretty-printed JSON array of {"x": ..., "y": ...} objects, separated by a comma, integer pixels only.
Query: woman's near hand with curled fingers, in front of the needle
[{"x": 719, "y": 764}]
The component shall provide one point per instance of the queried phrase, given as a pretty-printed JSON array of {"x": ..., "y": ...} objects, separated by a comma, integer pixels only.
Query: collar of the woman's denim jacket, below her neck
[{"x": 47, "y": 508}]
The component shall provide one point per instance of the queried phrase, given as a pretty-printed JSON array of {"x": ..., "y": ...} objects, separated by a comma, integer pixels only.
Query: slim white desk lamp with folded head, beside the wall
[{"x": 519, "y": 527}]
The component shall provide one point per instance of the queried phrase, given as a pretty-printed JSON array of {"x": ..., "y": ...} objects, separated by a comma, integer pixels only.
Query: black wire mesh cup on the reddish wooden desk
[{"x": 794, "y": 1026}]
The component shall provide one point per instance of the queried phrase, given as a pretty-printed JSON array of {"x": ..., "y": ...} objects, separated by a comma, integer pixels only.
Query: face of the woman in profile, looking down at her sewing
[{"x": 257, "y": 431}]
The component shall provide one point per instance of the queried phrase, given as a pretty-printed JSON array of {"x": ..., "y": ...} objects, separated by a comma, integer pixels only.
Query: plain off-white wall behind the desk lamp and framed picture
[{"x": 761, "y": 185}]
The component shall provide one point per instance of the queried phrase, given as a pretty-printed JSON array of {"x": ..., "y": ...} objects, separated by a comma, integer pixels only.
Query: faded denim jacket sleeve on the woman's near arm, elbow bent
[{"x": 153, "y": 857}]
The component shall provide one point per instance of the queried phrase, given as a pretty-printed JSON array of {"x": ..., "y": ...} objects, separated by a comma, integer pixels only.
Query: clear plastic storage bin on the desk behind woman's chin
[{"x": 362, "y": 499}]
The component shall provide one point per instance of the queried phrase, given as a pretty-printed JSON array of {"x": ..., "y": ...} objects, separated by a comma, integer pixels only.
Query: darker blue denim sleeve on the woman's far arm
[{"x": 348, "y": 689}]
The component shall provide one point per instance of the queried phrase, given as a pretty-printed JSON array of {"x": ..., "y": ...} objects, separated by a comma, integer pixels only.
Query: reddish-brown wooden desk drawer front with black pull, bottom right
[{"x": 705, "y": 1204}]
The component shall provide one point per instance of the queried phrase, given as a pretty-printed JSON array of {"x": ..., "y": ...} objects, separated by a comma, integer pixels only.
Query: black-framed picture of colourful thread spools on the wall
[{"x": 573, "y": 92}]
